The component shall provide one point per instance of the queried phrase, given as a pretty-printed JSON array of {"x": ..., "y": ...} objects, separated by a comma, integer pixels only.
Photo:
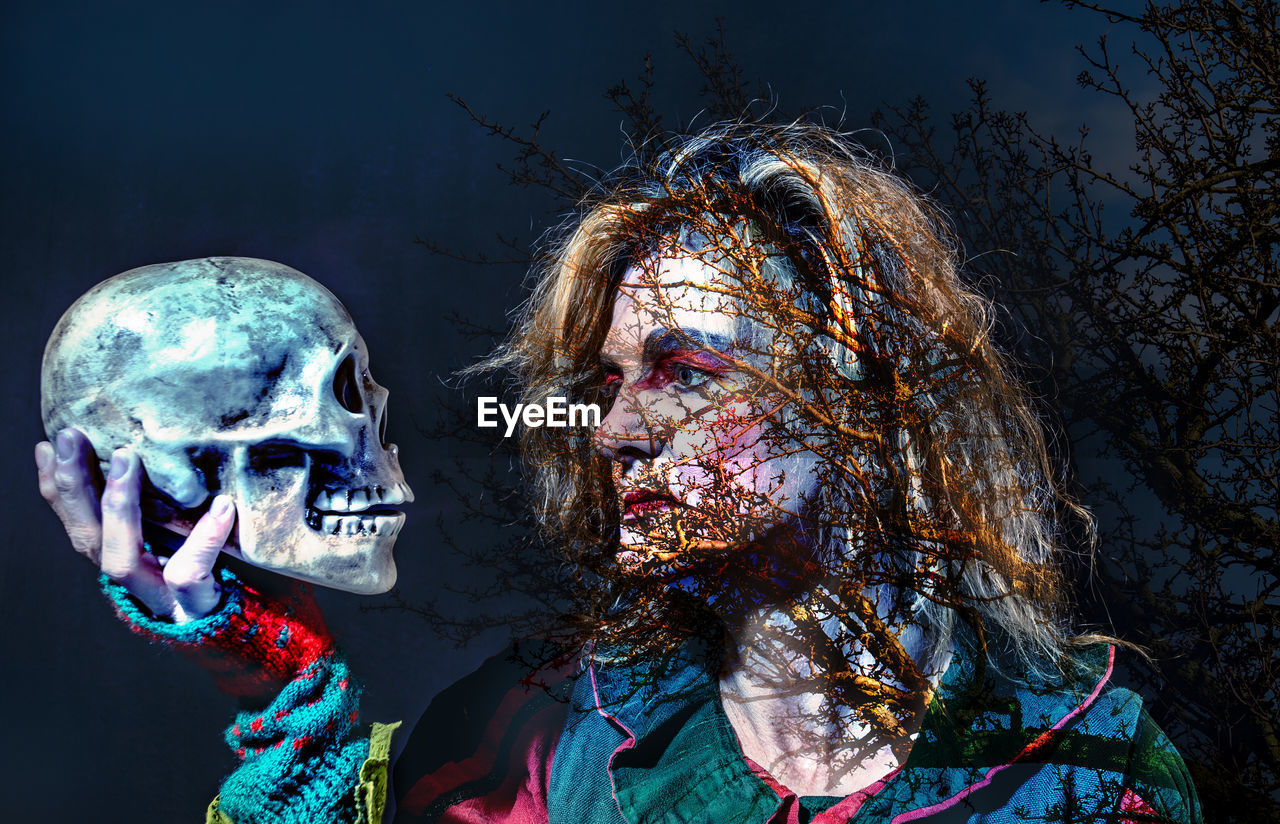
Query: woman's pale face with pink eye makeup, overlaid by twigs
[{"x": 701, "y": 463}]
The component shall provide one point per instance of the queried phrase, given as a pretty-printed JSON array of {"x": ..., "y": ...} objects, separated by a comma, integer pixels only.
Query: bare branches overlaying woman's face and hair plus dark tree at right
[{"x": 1146, "y": 303}]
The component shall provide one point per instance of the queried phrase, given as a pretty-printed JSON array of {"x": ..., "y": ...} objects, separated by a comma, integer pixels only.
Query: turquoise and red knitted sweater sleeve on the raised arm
[{"x": 301, "y": 761}]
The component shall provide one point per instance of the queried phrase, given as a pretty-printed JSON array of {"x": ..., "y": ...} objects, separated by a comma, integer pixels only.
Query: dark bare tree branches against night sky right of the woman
[{"x": 1148, "y": 297}]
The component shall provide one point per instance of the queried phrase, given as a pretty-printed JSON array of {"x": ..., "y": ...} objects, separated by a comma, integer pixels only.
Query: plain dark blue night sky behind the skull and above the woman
[{"x": 321, "y": 136}]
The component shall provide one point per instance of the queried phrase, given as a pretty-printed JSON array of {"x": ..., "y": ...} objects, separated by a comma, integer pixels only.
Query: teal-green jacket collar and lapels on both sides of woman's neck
[{"x": 979, "y": 720}]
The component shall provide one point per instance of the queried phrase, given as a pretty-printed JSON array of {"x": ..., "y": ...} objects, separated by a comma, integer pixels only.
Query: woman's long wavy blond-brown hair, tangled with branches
[{"x": 886, "y": 356}]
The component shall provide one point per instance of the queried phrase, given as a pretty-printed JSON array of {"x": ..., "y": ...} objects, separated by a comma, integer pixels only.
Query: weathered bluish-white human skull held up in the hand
[{"x": 241, "y": 377}]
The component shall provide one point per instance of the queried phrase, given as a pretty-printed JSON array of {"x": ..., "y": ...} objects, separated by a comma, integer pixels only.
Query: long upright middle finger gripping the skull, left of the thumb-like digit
[{"x": 124, "y": 559}]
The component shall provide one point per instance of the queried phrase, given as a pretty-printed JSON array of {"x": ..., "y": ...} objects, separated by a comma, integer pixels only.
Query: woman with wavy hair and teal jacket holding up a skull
[{"x": 813, "y": 541}]
